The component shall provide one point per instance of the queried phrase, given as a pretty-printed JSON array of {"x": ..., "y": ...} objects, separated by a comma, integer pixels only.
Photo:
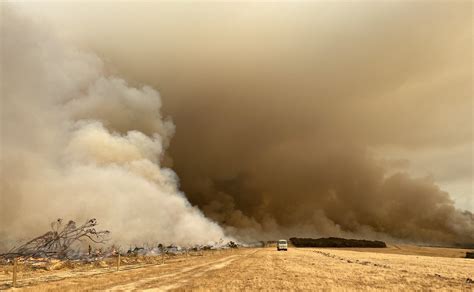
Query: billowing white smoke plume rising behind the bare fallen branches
[{"x": 77, "y": 143}]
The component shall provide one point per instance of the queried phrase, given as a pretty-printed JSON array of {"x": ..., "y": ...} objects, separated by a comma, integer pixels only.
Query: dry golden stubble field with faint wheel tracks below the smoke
[{"x": 267, "y": 269}]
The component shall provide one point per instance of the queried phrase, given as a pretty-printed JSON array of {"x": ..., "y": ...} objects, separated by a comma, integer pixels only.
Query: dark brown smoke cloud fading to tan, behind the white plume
[{"x": 284, "y": 112}]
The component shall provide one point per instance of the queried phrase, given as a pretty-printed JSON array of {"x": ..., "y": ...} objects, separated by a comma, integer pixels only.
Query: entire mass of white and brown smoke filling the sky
[{"x": 311, "y": 119}]
